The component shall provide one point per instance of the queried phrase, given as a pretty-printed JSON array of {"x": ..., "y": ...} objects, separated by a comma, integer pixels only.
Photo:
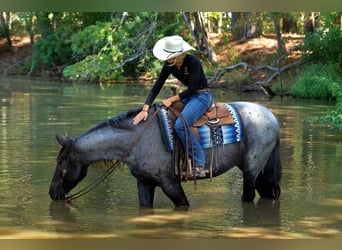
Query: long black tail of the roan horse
[{"x": 267, "y": 182}]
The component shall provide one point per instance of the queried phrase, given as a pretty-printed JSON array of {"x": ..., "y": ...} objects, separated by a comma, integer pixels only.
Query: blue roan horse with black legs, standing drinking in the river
[{"x": 142, "y": 148}]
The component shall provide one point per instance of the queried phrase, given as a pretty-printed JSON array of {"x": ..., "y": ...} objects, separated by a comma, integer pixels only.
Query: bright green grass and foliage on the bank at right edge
[{"x": 324, "y": 81}]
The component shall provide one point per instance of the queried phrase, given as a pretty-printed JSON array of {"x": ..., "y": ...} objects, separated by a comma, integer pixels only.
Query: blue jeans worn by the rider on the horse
[{"x": 194, "y": 108}]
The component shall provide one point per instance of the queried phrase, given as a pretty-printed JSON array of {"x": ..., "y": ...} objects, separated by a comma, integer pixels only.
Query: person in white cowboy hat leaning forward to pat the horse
[{"x": 197, "y": 99}]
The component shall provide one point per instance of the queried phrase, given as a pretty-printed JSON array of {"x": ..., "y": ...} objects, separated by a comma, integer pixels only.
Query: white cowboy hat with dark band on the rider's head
[{"x": 170, "y": 46}]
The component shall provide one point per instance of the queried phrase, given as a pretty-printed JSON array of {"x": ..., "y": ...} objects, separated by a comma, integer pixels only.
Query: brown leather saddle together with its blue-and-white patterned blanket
[{"x": 220, "y": 125}]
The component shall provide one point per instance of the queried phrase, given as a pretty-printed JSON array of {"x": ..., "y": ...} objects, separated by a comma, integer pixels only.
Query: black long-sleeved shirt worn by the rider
[{"x": 190, "y": 74}]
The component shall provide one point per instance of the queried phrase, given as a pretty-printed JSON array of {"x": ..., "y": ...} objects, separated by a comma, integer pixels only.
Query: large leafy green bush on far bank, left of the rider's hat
[{"x": 119, "y": 49}]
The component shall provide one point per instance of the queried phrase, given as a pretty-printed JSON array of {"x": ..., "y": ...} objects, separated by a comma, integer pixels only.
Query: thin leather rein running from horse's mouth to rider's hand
[{"x": 97, "y": 182}]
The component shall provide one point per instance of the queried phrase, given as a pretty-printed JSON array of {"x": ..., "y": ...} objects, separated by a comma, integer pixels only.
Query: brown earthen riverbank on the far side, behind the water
[{"x": 260, "y": 51}]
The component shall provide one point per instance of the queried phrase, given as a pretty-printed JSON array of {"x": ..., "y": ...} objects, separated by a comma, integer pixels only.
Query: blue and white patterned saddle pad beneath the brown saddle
[{"x": 224, "y": 134}]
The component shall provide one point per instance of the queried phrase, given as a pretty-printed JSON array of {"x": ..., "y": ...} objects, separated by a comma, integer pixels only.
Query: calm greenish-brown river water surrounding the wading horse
[{"x": 33, "y": 112}]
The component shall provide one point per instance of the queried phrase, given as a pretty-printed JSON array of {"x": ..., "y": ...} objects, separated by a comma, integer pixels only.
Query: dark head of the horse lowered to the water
[{"x": 69, "y": 170}]
